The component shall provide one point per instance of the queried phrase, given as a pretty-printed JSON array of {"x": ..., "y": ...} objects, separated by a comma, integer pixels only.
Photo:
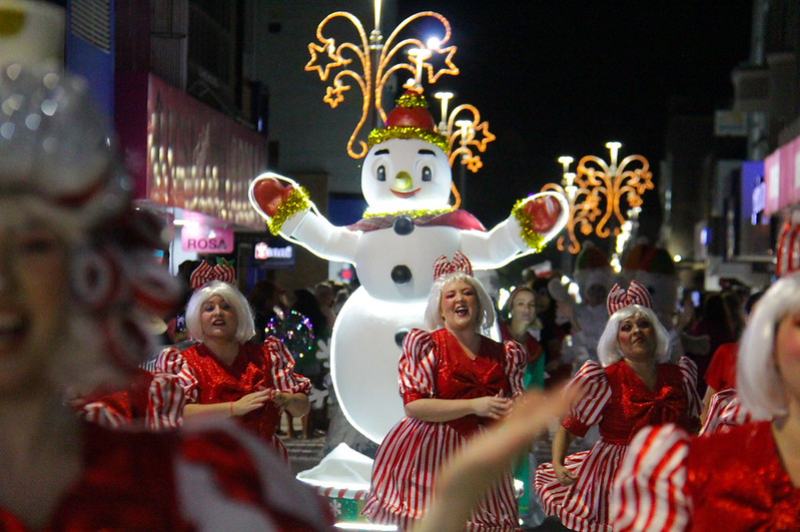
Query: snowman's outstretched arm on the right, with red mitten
[{"x": 533, "y": 222}]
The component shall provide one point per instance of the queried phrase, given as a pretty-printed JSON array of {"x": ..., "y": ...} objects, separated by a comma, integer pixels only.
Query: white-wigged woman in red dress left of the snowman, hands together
[{"x": 227, "y": 375}]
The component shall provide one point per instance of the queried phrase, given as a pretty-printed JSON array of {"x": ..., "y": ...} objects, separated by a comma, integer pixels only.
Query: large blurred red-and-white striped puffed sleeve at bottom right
[{"x": 649, "y": 490}]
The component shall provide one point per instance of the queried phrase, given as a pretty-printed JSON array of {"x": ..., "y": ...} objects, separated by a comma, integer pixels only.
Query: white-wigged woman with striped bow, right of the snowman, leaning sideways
[{"x": 635, "y": 387}]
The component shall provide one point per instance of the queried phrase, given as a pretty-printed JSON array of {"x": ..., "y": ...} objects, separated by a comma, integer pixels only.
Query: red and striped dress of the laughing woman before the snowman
[{"x": 433, "y": 365}]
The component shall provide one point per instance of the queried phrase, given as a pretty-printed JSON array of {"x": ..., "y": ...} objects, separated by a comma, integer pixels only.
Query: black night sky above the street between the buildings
[{"x": 560, "y": 77}]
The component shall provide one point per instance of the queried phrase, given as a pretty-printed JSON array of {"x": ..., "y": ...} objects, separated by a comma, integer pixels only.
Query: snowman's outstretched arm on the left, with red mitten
[{"x": 289, "y": 212}]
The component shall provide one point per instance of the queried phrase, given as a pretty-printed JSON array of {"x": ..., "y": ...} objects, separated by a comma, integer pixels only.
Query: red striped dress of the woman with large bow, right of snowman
[{"x": 618, "y": 401}]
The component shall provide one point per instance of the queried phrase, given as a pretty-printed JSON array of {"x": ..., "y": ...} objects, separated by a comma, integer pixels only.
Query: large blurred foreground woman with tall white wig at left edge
[{"x": 78, "y": 281}]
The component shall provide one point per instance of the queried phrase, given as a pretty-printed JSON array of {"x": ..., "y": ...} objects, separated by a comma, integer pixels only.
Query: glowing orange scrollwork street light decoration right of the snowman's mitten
[{"x": 596, "y": 190}]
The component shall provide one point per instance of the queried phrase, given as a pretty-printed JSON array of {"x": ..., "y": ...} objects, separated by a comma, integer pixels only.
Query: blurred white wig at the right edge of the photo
[{"x": 758, "y": 381}]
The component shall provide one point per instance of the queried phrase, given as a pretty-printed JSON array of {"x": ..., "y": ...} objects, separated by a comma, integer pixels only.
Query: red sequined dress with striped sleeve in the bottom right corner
[{"x": 731, "y": 481}]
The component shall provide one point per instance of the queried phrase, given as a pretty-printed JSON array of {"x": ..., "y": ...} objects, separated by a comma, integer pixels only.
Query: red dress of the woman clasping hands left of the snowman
[{"x": 206, "y": 380}]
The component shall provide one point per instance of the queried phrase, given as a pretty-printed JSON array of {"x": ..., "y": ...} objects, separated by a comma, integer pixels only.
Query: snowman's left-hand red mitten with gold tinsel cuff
[{"x": 277, "y": 202}]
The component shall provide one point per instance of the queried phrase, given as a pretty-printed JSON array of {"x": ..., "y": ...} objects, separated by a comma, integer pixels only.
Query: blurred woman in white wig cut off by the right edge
[{"x": 744, "y": 477}]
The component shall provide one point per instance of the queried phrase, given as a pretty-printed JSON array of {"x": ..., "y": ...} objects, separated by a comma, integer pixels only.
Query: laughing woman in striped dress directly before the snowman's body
[{"x": 454, "y": 381}]
